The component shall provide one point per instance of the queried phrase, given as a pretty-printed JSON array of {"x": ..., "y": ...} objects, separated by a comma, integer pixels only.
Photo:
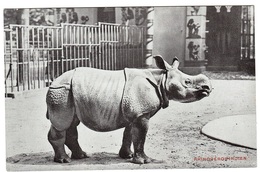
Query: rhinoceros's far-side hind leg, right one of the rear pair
[{"x": 72, "y": 140}]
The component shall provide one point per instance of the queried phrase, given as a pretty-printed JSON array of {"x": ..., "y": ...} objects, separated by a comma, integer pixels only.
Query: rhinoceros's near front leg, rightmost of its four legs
[{"x": 139, "y": 131}]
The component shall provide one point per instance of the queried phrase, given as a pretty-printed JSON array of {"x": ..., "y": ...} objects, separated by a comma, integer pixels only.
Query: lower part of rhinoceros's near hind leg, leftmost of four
[{"x": 57, "y": 140}]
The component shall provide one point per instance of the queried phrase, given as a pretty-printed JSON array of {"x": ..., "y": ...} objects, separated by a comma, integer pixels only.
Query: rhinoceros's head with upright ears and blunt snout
[{"x": 182, "y": 87}]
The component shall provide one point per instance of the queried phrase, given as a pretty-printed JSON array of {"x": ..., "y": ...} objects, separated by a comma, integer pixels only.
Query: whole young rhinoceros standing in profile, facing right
[{"x": 109, "y": 100}]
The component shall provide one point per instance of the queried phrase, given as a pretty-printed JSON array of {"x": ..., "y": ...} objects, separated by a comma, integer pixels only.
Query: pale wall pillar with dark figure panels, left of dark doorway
[{"x": 195, "y": 48}]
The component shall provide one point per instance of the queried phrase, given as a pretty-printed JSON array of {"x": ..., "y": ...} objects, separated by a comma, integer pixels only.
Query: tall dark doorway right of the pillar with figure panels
[{"x": 224, "y": 36}]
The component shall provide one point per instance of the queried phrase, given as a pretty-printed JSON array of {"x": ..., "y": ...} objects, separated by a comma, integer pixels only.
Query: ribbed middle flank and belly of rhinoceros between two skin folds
[{"x": 97, "y": 96}]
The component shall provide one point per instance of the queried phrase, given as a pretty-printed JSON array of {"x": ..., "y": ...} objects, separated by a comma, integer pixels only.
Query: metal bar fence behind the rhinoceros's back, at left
[{"x": 35, "y": 55}]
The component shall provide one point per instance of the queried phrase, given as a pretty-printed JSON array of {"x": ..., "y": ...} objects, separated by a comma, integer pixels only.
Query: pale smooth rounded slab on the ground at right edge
[{"x": 238, "y": 130}]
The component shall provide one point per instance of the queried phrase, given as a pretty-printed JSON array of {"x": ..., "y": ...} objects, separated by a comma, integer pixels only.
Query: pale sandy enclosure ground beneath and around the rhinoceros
[{"x": 174, "y": 136}]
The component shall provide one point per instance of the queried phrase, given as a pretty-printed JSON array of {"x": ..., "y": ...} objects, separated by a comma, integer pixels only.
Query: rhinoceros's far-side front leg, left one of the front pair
[{"x": 125, "y": 151}]
